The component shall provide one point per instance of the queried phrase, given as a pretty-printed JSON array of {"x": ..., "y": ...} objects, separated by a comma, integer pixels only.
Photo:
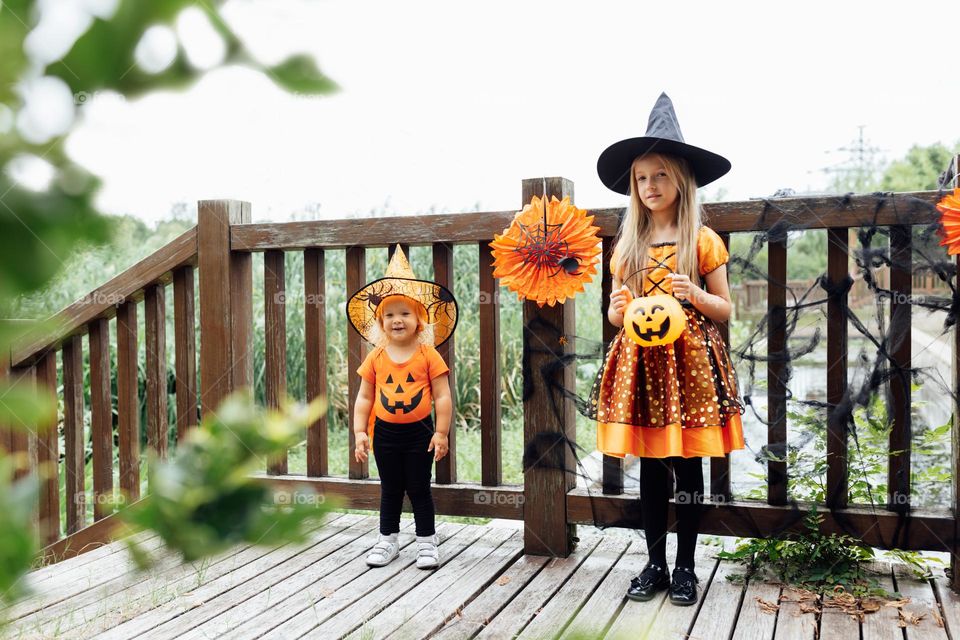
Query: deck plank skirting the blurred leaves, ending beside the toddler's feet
[{"x": 248, "y": 565}]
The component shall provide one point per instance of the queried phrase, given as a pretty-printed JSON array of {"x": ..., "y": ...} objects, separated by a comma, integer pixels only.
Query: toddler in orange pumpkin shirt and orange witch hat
[{"x": 401, "y": 378}]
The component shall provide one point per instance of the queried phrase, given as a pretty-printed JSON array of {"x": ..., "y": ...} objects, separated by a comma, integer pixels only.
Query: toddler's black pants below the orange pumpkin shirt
[{"x": 405, "y": 466}]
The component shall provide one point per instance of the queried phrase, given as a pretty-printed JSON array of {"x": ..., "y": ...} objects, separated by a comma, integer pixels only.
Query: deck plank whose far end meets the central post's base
[{"x": 473, "y": 617}]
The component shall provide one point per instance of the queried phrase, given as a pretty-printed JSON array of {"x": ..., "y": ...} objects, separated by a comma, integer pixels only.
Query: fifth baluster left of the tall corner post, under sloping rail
[{"x": 73, "y": 435}]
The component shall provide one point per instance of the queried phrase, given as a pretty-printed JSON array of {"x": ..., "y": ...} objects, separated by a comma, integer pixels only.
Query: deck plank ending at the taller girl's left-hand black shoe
[{"x": 603, "y": 606}]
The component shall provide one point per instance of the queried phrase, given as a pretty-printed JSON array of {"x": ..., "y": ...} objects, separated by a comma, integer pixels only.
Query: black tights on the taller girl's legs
[{"x": 656, "y": 487}]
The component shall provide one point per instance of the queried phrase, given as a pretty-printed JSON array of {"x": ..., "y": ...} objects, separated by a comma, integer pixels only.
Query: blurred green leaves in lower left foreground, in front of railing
[{"x": 204, "y": 500}]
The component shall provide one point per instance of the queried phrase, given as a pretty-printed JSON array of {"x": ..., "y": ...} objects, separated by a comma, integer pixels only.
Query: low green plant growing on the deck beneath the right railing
[{"x": 810, "y": 559}]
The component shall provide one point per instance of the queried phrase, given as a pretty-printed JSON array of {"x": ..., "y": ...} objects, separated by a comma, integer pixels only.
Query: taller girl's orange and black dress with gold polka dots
[{"x": 672, "y": 400}]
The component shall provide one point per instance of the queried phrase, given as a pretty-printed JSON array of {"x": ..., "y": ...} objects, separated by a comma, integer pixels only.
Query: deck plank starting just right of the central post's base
[{"x": 511, "y": 620}]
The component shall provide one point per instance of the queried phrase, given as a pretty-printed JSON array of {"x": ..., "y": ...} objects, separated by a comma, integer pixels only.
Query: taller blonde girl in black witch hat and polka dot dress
[{"x": 671, "y": 404}]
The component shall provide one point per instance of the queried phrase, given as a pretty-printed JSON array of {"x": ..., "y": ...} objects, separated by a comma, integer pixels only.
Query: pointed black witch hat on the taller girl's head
[{"x": 663, "y": 136}]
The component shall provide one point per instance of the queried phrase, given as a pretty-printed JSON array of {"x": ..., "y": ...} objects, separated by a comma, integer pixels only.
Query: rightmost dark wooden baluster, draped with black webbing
[{"x": 901, "y": 432}]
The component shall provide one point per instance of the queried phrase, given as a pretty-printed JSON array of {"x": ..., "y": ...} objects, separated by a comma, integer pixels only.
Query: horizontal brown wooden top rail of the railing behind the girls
[{"x": 822, "y": 212}]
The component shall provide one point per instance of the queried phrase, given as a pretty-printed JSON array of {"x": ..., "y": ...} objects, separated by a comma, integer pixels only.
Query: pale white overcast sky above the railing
[{"x": 448, "y": 105}]
